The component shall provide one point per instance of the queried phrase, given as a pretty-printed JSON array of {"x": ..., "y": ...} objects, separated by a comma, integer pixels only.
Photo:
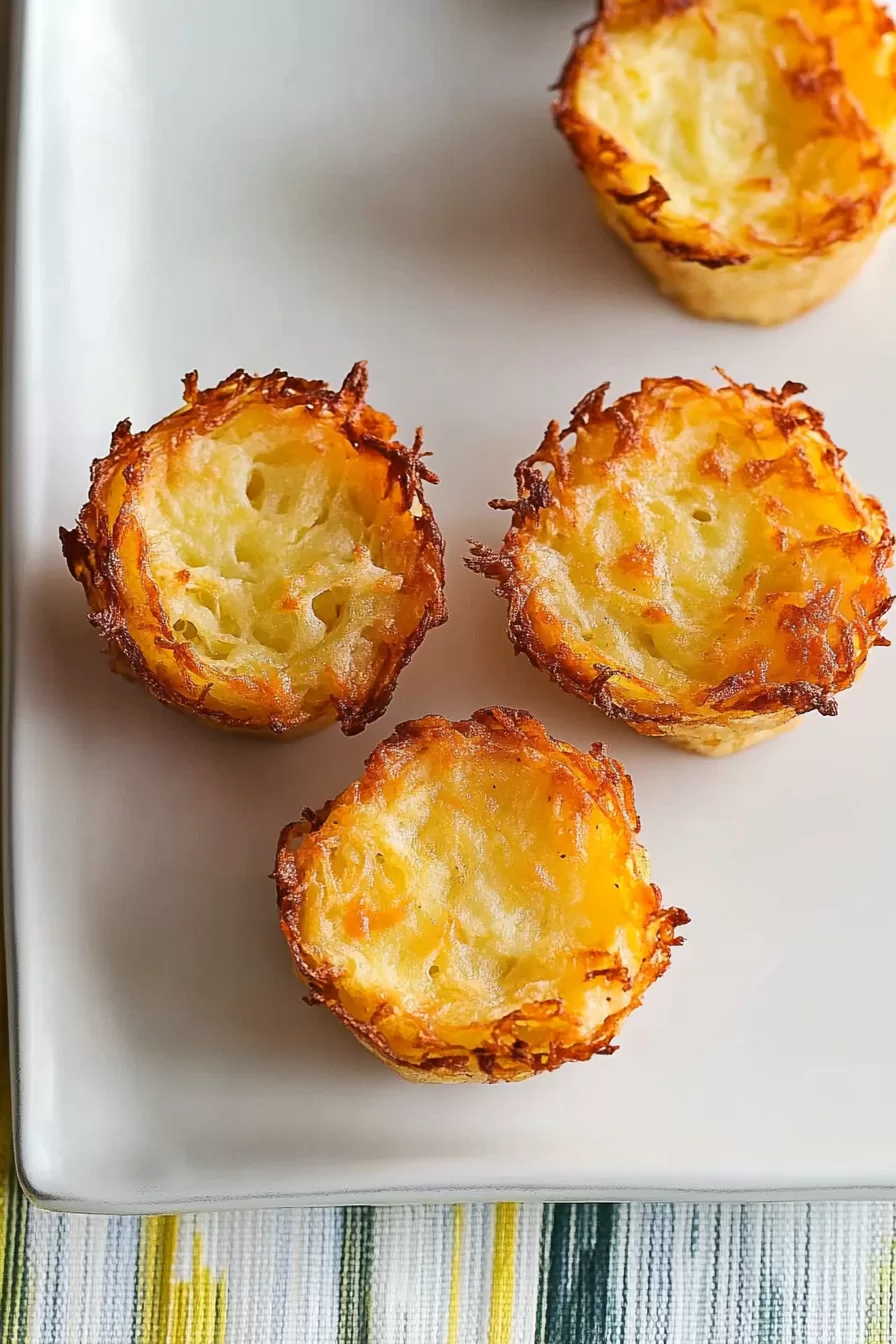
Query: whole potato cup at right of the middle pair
[{"x": 697, "y": 564}]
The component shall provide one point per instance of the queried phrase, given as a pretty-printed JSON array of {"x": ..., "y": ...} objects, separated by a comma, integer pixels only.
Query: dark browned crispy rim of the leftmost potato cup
[{"x": 91, "y": 548}]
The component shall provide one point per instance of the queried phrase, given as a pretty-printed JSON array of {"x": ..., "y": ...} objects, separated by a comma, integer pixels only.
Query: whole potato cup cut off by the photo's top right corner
[{"x": 744, "y": 149}]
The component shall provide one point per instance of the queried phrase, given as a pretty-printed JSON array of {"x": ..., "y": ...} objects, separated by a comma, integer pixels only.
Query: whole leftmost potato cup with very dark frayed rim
[{"x": 264, "y": 557}]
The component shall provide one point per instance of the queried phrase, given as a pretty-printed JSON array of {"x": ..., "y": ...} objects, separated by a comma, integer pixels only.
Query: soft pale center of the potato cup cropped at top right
[{"x": 701, "y": 100}]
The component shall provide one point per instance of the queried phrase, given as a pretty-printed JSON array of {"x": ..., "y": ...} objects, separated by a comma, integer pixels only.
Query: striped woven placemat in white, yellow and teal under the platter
[{"x": 440, "y": 1275}]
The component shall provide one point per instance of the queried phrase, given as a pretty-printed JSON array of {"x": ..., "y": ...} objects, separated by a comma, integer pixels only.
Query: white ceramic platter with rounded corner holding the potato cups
[{"x": 304, "y": 185}]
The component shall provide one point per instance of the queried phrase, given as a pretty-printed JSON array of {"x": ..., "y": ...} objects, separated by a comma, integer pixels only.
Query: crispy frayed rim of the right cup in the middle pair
[{"x": 616, "y": 690}]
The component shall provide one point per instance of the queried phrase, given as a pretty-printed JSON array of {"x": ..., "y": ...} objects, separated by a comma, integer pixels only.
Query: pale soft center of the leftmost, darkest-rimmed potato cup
[{"x": 276, "y": 549}]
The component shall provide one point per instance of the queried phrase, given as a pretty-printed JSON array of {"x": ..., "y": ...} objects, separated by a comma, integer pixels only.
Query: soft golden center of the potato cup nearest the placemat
[{"x": 476, "y": 885}]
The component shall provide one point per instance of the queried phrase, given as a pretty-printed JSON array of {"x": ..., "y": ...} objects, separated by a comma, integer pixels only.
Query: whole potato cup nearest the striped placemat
[{"x": 476, "y": 908}]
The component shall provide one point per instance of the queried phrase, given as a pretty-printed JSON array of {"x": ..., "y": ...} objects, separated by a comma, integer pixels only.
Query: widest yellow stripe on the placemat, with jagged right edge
[{"x": 174, "y": 1311}]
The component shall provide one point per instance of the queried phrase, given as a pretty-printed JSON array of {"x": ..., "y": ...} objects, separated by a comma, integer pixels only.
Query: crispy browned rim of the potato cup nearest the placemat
[{"x": 508, "y": 1057}]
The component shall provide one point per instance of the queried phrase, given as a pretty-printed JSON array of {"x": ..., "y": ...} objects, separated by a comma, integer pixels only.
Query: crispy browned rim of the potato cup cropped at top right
[{"x": 613, "y": 171}]
